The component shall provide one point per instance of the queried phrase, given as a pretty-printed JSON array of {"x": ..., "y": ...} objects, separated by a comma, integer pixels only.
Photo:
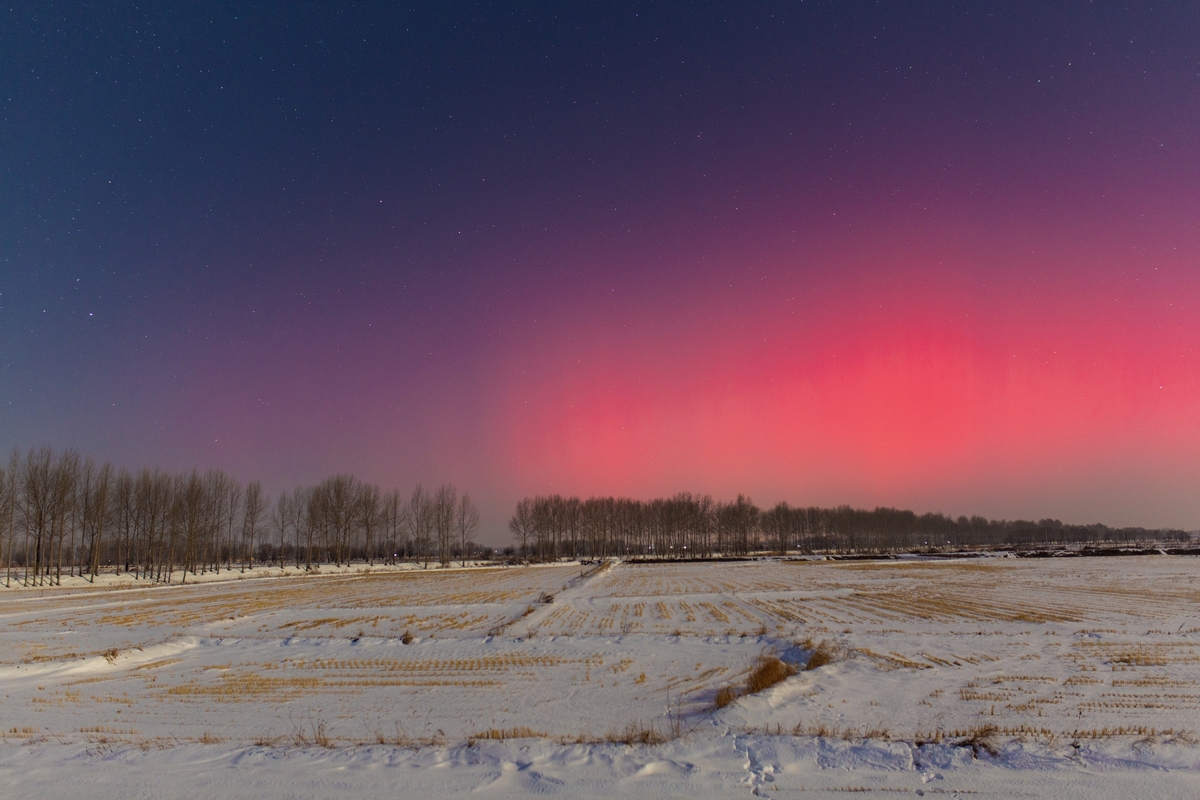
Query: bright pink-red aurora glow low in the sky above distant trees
[{"x": 901, "y": 383}]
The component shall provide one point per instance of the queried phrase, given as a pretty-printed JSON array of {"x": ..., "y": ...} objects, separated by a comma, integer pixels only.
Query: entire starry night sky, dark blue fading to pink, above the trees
[{"x": 943, "y": 256}]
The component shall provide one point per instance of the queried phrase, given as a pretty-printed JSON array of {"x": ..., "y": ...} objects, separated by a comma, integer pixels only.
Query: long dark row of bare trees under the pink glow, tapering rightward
[{"x": 687, "y": 526}]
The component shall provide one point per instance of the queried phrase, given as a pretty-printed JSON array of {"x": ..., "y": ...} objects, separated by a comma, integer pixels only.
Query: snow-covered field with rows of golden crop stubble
[{"x": 998, "y": 677}]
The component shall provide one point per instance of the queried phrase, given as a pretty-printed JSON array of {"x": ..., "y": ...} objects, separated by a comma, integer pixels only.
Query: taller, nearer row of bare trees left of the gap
[{"x": 61, "y": 513}]
